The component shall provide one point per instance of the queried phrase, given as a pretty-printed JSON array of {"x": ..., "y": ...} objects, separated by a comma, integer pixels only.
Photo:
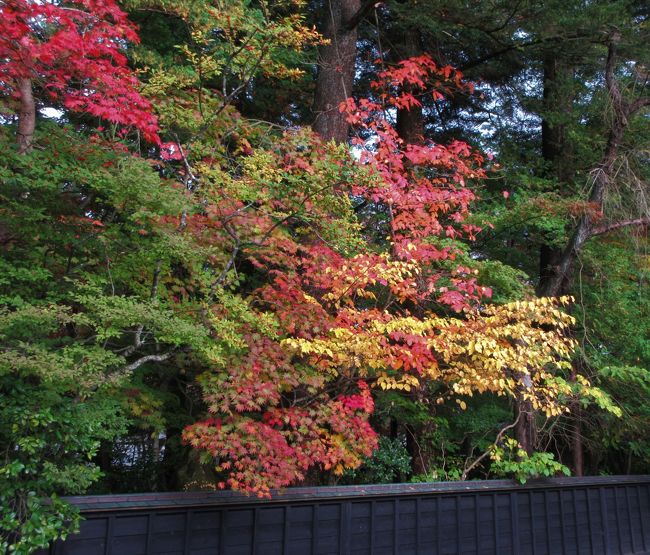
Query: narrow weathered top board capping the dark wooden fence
[{"x": 143, "y": 501}]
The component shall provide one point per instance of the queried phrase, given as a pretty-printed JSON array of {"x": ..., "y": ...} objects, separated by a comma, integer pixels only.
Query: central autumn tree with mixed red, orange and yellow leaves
[{"x": 354, "y": 319}]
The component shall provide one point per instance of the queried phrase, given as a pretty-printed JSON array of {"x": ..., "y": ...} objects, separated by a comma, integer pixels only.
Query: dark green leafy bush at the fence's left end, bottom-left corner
[{"x": 52, "y": 427}]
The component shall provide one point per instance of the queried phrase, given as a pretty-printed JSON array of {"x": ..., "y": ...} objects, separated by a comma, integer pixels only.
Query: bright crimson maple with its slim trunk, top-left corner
[{"x": 73, "y": 54}]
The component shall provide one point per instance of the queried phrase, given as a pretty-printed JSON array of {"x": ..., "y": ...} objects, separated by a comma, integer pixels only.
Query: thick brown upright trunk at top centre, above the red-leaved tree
[{"x": 336, "y": 66}]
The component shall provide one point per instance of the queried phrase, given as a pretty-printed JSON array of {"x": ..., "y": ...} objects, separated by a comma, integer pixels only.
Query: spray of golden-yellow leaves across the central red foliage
[{"x": 517, "y": 349}]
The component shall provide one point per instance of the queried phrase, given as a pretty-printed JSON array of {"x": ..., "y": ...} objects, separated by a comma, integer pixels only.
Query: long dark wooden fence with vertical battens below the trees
[{"x": 600, "y": 515}]
